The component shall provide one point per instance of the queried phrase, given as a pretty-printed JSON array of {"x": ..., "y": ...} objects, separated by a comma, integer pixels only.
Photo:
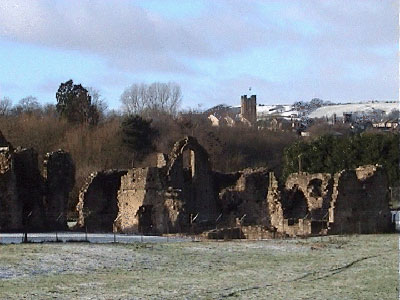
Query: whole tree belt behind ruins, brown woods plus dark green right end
[{"x": 99, "y": 139}]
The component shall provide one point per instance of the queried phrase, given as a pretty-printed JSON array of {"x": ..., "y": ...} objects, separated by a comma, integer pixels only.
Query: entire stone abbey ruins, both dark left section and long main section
[{"x": 180, "y": 193}]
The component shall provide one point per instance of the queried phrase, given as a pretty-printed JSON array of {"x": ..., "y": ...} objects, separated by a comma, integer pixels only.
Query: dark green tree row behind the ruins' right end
[{"x": 330, "y": 154}]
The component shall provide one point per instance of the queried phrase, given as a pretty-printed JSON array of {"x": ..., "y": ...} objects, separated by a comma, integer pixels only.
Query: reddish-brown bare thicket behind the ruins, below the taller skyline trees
[{"x": 104, "y": 146}]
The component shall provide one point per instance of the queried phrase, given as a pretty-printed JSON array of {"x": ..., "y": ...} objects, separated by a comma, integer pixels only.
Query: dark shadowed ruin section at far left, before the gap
[{"x": 29, "y": 202}]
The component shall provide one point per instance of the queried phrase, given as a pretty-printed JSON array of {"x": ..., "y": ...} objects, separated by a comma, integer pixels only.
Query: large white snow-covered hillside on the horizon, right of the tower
[{"x": 366, "y": 108}]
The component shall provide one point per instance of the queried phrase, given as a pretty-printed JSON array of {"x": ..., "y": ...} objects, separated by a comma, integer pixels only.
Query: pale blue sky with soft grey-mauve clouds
[{"x": 284, "y": 50}]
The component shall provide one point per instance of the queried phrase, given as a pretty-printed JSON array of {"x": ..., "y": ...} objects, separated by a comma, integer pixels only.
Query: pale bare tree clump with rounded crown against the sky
[{"x": 152, "y": 99}]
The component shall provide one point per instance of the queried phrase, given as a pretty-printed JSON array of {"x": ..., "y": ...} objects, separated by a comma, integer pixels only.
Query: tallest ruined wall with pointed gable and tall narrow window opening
[{"x": 189, "y": 170}]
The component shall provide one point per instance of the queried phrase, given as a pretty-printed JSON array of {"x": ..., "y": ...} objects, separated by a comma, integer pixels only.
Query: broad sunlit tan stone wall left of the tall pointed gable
[{"x": 141, "y": 201}]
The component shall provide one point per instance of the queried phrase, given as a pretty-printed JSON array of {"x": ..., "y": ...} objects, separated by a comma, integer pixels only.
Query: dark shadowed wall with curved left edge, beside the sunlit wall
[{"x": 97, "y": 205}]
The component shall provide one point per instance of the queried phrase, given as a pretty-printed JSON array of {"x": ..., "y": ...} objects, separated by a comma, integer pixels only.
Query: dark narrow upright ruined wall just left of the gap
[{"x": 59, "y": 173}]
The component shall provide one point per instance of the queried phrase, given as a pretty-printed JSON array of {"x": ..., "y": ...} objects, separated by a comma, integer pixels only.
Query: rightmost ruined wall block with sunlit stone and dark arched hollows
[{"x": 352, "y": 201}]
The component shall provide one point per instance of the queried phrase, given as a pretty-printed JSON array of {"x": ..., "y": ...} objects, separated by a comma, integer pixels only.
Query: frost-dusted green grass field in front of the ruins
[{"x": 349, "y": 267}]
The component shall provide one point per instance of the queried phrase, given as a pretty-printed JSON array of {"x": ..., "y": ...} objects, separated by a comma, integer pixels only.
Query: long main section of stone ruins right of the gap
[{"x": 181, "y": 193}]
